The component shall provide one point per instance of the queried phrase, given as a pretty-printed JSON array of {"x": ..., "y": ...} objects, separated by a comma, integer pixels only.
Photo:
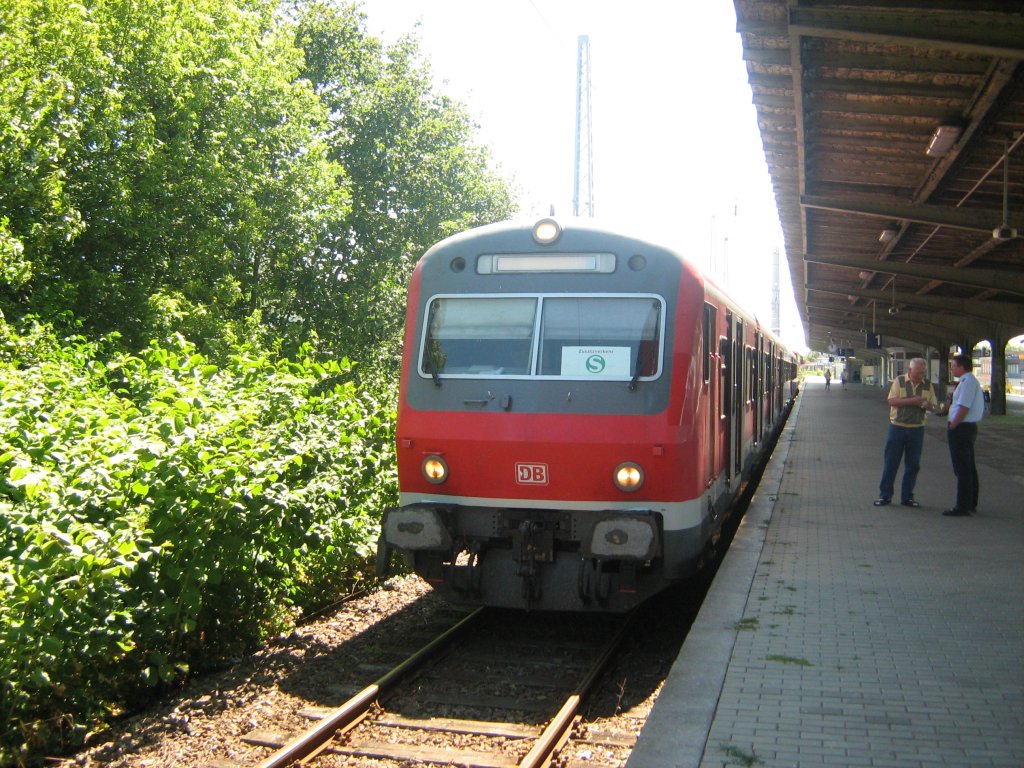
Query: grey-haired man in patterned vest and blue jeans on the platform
[{"x": 911, "y": 398}]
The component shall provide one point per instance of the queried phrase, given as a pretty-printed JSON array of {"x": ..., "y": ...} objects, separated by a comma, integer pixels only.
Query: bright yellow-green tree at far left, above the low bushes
[{"x": 159, "y": 153}]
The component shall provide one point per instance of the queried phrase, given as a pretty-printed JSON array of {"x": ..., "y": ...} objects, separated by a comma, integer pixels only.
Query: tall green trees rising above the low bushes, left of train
[{"x": 194, "y": 164}]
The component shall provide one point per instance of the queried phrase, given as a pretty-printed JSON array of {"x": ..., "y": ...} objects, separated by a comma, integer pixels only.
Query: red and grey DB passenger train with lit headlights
[{"x": 579, "y": 408}]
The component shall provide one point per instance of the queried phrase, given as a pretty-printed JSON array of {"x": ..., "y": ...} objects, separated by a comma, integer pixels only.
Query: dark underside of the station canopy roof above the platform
[{"x": 894, "y": 137}]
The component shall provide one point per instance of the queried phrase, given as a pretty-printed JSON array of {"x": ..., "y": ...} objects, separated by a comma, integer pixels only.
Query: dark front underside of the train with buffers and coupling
[{"x": 526, "y": 559}]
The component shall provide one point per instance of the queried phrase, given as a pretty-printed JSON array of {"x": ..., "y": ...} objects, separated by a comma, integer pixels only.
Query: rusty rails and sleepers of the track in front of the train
[{"x": 498, "y": 690}]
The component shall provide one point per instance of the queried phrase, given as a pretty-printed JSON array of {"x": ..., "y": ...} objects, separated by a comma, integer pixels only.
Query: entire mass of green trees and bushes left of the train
[{"x": 248, "y": 175}]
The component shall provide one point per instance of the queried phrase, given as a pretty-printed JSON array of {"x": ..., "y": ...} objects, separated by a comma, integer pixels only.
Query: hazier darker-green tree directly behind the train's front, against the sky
[{"x": 416, "y": 177}]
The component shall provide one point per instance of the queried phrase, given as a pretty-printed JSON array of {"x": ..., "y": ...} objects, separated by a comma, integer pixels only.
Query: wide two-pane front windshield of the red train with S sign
[{"x": 611, "y": 337}]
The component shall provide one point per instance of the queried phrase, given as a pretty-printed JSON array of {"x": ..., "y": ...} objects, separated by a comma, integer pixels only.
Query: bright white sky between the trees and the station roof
[{"x": 675, "y": 146}]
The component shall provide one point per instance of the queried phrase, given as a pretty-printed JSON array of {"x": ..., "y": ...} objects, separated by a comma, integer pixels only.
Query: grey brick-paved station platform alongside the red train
[{"x": 838, "y": 633}]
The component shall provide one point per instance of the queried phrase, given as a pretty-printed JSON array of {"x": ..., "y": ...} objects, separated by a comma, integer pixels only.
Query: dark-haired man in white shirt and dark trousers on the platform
[{"x": 966, "y": 411}]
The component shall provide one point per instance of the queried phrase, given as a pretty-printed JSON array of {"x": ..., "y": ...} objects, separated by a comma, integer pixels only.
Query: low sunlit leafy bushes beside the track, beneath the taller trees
[{"x": 160, "y": 514}]
